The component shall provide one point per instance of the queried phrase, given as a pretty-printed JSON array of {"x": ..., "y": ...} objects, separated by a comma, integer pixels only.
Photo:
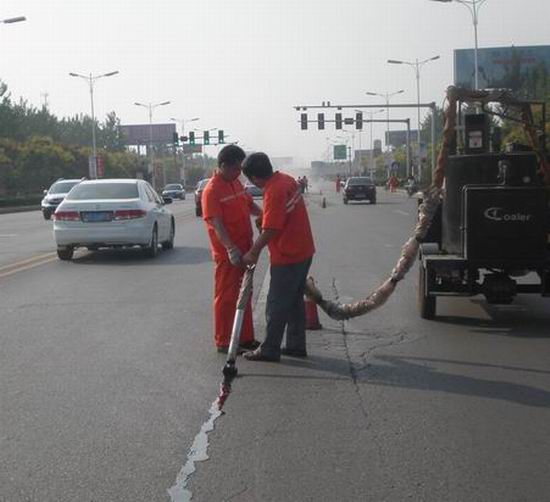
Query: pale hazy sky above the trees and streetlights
[{"x": 242, "y": 65}]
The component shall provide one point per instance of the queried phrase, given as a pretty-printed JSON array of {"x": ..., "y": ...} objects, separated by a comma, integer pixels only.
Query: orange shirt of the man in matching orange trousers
[{"x": 228, "y": 201}]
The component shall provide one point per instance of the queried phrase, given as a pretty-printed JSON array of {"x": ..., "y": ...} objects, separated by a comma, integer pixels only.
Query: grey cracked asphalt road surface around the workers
[{"x": 108, "y": 372}]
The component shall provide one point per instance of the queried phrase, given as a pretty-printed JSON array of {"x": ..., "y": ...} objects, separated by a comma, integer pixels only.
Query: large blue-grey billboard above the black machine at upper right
[{"x": 514, "y": 68}]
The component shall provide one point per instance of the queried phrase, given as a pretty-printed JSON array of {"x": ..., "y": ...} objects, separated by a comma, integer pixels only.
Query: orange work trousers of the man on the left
[{"x": 227, "y": 283}]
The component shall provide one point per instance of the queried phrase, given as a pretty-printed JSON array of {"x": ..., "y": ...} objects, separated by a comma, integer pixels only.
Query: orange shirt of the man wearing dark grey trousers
[{"x": 285, "y": 210}]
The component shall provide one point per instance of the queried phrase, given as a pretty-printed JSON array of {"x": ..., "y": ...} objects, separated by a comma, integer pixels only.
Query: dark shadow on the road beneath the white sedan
[{"x": 124, "y": 257}]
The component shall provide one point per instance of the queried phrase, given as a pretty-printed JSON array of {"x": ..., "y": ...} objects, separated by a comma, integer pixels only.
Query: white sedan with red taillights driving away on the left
[{"x": 113, "y": 213}]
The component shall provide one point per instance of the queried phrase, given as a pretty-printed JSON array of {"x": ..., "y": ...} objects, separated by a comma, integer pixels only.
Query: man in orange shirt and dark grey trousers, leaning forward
[{"x": 287, "y": 233}]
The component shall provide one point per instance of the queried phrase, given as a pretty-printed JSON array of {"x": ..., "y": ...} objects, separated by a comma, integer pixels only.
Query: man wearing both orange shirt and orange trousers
[{"x": 226, "y": 210}]
